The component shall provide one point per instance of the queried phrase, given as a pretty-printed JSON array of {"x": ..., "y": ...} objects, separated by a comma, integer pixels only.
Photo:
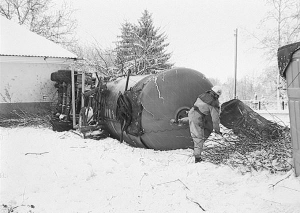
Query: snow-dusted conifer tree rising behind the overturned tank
[{"x": 141, "y": 48}]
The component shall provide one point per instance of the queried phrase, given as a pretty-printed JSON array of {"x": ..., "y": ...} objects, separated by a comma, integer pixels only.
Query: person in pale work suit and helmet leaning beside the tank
[{"x": 206, "y": 103}]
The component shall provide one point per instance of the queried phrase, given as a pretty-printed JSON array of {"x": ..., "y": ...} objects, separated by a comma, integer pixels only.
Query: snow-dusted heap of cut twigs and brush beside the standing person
[{"x": 247, "y": 154}]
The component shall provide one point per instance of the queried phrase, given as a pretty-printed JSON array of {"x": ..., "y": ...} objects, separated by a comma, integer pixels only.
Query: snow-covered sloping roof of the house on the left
[{"x": 16, "y": 40}]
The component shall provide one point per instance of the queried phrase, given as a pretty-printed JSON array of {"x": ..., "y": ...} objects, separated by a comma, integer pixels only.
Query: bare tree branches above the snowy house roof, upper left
[{"x": 39, "y": 16}]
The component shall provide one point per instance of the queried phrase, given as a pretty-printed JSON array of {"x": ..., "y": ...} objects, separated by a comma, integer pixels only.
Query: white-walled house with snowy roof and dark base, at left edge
[{"x": 26, "y": 63}]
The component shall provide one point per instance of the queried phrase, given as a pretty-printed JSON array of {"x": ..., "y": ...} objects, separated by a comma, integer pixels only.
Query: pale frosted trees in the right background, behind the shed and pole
[{"x": 281, "y": 26}]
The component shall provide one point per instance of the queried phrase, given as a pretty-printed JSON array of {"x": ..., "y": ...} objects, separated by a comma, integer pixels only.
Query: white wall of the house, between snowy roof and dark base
[{"x": 27, "y": 79}]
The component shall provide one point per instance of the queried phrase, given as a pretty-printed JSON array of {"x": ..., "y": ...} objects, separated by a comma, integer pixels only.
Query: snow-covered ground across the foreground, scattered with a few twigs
[{"x": 46, "y": 171}]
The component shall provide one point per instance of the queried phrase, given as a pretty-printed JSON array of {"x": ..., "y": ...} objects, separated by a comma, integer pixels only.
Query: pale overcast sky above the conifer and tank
[{"x": 200, "y": 32}]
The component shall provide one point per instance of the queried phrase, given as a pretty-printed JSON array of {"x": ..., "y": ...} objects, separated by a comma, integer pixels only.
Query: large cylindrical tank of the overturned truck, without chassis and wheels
[{"x": 154, "y": 101}]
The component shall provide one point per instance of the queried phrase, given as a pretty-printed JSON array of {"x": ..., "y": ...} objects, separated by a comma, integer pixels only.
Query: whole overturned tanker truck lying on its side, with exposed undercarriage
[{"x": 136, "y": 109}]
